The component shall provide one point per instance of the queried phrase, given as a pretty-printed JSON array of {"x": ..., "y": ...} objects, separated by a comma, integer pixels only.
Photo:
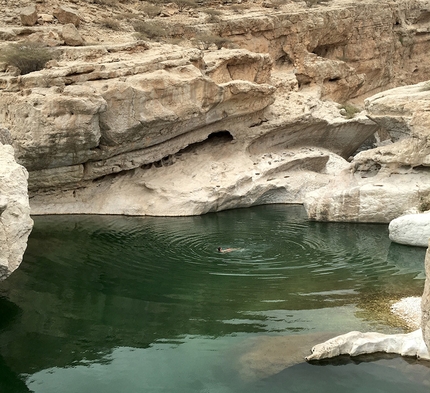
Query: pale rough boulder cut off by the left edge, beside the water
[{"x": 15, "y": 221}]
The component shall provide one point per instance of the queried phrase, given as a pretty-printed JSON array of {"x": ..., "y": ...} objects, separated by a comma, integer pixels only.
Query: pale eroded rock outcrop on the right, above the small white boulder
[{"x": 384, "y": 183}]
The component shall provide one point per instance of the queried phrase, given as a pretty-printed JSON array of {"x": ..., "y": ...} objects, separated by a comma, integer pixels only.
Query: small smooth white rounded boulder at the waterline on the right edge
[{"x": 411, "y": 229}]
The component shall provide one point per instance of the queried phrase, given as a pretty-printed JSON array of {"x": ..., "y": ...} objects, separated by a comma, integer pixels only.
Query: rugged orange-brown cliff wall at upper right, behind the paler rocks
[{"x": 385, "y": 48}]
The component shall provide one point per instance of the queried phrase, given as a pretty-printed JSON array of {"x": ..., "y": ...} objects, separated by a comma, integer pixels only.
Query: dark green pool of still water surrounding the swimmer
[{"x": 146, "y": 304}]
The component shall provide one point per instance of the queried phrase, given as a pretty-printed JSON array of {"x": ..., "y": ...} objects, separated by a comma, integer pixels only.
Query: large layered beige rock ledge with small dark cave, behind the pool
[{"x": 168, "y": 131}]
